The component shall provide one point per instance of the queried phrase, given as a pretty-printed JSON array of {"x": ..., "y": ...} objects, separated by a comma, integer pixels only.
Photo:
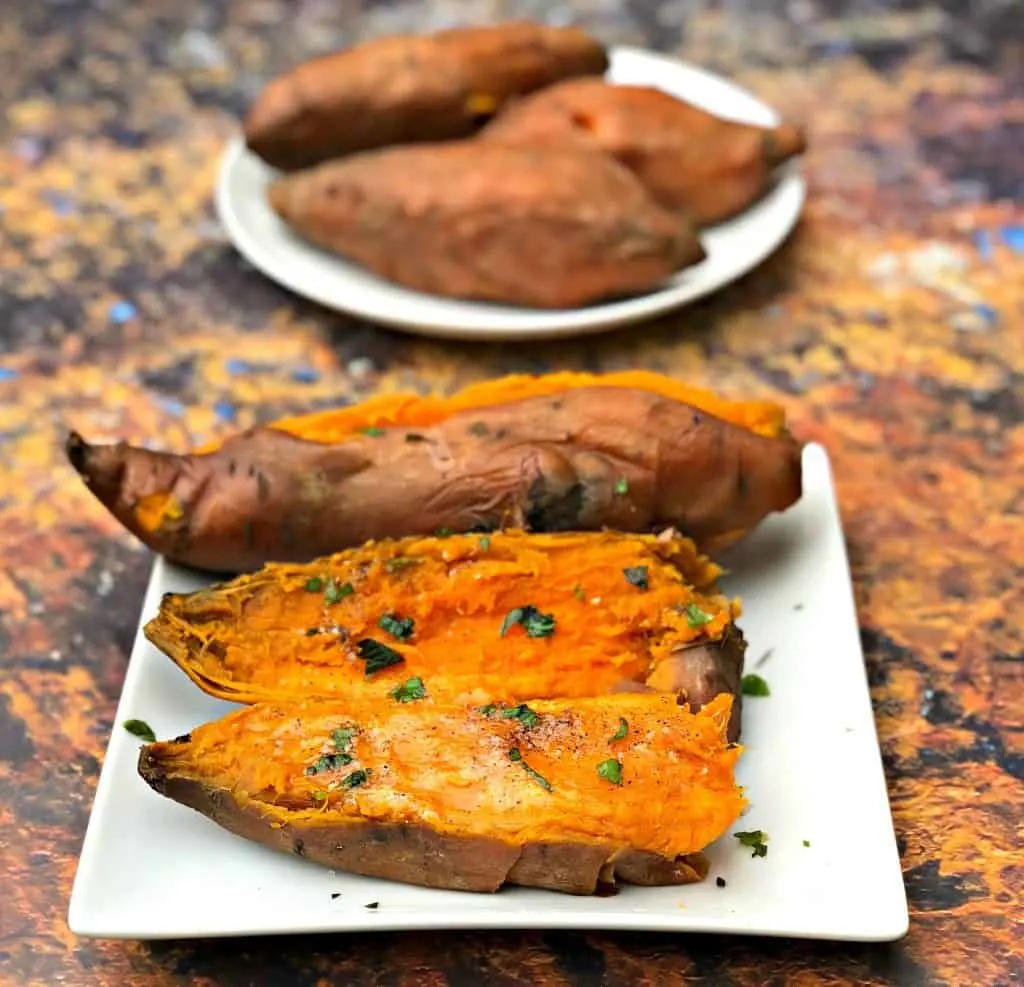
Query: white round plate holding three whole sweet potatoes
[{"x": 734, "y": 248}]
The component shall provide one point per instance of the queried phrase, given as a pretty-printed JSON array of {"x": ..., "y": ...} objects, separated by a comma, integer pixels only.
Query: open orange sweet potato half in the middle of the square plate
[{"x": 599, "y": 613}]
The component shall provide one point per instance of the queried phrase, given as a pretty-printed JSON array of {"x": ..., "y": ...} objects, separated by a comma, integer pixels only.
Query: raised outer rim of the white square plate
[{"x": 84, "y": 921}]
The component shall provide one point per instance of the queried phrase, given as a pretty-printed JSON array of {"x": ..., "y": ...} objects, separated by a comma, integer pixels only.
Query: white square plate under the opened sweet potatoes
[{"x": 151, "y": 869}]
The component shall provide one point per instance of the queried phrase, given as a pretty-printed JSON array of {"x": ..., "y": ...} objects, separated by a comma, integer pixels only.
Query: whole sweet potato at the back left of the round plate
[{"x": 402, "y": 91}]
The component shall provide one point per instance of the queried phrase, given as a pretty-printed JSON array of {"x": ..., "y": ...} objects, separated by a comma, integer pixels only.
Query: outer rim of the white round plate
[{"x": 509, "y": 323}]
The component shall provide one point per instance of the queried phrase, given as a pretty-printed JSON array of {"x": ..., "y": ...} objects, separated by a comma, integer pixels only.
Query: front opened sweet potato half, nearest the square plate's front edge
[{"x": 580, "y": 794}]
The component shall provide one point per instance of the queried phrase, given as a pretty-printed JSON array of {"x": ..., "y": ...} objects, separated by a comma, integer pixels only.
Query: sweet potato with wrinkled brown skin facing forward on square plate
[{"x": 584, "y": 457}]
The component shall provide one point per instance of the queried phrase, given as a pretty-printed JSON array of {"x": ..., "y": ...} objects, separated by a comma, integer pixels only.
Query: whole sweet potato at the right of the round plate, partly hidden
[{"x": 688, "y": 159}]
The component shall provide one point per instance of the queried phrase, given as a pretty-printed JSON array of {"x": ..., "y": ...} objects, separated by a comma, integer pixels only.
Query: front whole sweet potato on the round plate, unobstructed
[{"x": 550, "y": 229}]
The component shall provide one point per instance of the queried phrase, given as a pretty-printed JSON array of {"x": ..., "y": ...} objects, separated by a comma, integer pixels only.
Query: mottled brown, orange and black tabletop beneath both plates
[{"x": 891, "y": 326}]
